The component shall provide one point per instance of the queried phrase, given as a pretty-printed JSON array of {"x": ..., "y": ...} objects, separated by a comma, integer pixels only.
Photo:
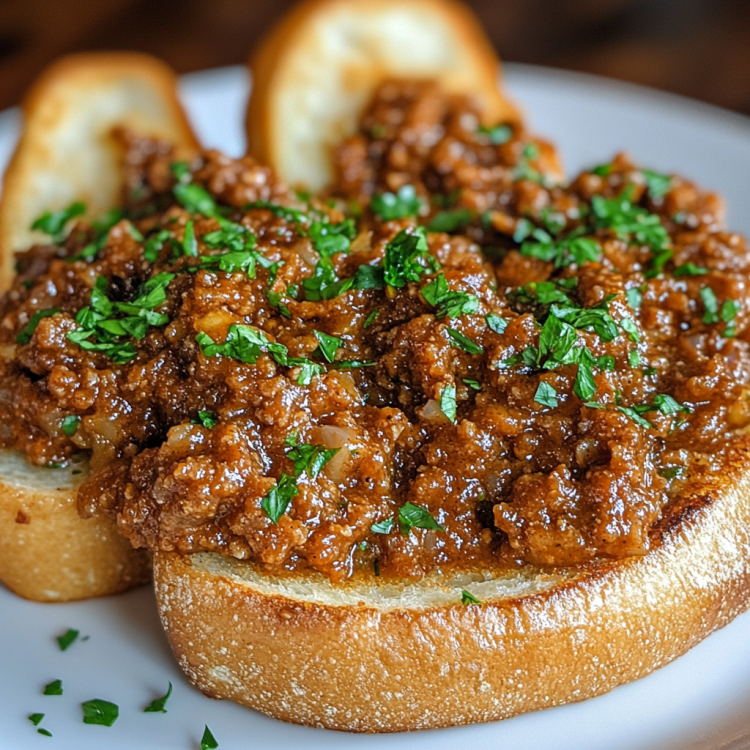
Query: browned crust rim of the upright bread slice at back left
[{"x": 30, "y": 148}]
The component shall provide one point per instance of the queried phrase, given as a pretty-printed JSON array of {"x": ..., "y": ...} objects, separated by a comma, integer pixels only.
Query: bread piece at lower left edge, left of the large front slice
[{"x": 47, "y": 552}]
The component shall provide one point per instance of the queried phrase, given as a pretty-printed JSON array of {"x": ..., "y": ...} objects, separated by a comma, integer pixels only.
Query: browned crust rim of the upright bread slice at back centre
[{"x": 264, "y": 67}]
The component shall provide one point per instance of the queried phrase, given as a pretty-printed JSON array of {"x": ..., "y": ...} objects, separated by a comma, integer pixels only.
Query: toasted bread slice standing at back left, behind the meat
[{"x": 66, "y": 152}]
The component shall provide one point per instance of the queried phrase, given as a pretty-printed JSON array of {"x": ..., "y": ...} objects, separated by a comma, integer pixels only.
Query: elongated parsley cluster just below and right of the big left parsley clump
[{"x": 246, "y": 344}]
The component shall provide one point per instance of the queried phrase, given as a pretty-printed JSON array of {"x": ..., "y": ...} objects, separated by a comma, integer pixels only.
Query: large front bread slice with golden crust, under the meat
[{"x": 395, "y": 658}]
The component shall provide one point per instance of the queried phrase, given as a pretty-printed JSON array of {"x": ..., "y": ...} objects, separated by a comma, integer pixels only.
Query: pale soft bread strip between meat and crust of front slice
[{"x": 432, "y": 591}]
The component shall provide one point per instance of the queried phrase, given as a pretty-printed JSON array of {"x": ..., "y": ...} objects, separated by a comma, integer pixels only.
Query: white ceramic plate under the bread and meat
[{"x": 700, "y": 702}]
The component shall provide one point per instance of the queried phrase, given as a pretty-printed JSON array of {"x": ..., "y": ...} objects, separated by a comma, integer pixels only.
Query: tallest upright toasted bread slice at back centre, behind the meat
[{"x": 315, "y": 73}]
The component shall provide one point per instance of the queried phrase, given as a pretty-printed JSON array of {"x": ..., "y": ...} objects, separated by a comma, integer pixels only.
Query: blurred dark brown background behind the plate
[{"x": 699, "y": 48}]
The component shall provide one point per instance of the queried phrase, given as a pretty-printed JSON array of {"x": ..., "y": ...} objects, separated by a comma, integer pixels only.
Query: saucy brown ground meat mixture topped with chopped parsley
[{"x": 448, "y": 361}]
